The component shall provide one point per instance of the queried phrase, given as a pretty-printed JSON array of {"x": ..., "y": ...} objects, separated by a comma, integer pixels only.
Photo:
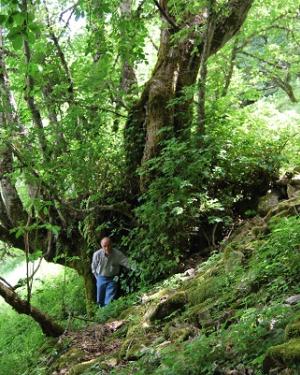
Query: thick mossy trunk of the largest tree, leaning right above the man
[{"x": 176, "y": 68}]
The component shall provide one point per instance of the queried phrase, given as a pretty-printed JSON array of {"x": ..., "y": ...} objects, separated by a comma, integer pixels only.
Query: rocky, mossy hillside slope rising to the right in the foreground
[{"x": 237, "y": 313}]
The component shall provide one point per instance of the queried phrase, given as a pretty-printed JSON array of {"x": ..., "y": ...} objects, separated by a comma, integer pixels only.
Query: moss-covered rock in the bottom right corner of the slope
[{"x": 283, "y": 356}]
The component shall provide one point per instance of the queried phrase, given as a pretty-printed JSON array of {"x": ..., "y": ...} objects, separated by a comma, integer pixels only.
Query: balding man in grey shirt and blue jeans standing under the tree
[{"x": 105, "y": 267}]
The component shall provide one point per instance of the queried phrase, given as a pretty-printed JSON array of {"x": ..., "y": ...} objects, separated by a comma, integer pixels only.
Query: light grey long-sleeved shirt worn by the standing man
[{"x": 108, "y": 265}]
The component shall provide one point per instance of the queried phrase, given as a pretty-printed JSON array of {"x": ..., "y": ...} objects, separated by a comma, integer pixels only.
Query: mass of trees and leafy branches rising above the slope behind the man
[{"x": 130, "y": 118}]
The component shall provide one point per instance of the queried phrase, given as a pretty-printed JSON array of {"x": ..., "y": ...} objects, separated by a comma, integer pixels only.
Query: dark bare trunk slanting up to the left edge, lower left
[{"x": 48, "y": 326}]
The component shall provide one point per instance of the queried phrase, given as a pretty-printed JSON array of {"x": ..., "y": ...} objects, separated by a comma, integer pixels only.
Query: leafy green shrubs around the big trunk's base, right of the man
[{"x": 197, "y": 189}]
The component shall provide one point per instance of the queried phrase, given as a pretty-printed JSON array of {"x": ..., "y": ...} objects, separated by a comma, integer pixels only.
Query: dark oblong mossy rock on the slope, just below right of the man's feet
[{"x": 166, "y": 307}]
